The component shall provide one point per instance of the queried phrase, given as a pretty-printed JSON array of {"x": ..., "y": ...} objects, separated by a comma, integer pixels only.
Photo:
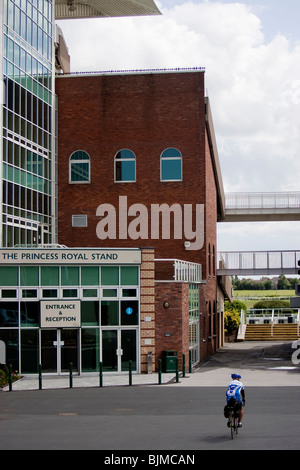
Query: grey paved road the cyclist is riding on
[{"x": 186, "y": 415}]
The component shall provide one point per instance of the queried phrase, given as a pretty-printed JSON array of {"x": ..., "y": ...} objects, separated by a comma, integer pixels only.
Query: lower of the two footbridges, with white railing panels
[{"x": 258, "y": 263}]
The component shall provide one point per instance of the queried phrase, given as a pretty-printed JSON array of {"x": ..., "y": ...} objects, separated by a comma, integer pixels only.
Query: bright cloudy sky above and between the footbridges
[{"x": 251, "y": 54}]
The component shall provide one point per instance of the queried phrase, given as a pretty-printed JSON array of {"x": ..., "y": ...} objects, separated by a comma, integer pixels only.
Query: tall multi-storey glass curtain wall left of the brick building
[{"x": 28, "y": 150}]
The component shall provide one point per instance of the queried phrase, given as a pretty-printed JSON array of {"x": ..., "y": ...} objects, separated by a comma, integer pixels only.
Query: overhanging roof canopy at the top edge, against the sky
[{"x": 67, "y": 9}]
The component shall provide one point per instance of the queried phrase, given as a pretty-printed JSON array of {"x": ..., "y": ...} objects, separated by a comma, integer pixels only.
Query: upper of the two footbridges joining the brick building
[{"x": 262, "y": 207}]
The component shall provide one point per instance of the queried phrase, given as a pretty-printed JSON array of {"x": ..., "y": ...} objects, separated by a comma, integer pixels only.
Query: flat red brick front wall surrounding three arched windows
[{"x": 146, "y": 113}]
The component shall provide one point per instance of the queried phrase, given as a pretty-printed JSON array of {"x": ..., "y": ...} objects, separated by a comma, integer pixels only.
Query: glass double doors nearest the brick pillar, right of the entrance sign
[{"x": 119, "y": 346}]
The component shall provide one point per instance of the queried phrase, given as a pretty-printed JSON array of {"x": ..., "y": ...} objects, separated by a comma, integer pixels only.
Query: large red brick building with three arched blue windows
[{"x": 138, "y": 167}]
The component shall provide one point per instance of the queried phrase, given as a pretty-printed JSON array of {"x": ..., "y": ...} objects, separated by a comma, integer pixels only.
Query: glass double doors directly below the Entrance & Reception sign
[{"x": 58, "y": 349}]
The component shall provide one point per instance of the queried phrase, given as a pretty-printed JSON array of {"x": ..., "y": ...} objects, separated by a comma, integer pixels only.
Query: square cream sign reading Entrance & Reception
[{"x": 60, "y": 313}]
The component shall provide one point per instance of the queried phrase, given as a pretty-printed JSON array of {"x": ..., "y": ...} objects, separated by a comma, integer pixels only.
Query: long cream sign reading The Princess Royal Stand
[{"x": 70, "y": 256}]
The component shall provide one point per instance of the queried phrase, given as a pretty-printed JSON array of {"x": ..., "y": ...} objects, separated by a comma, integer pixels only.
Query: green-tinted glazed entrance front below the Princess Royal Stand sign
[{"x": 109, "y": 318}]
